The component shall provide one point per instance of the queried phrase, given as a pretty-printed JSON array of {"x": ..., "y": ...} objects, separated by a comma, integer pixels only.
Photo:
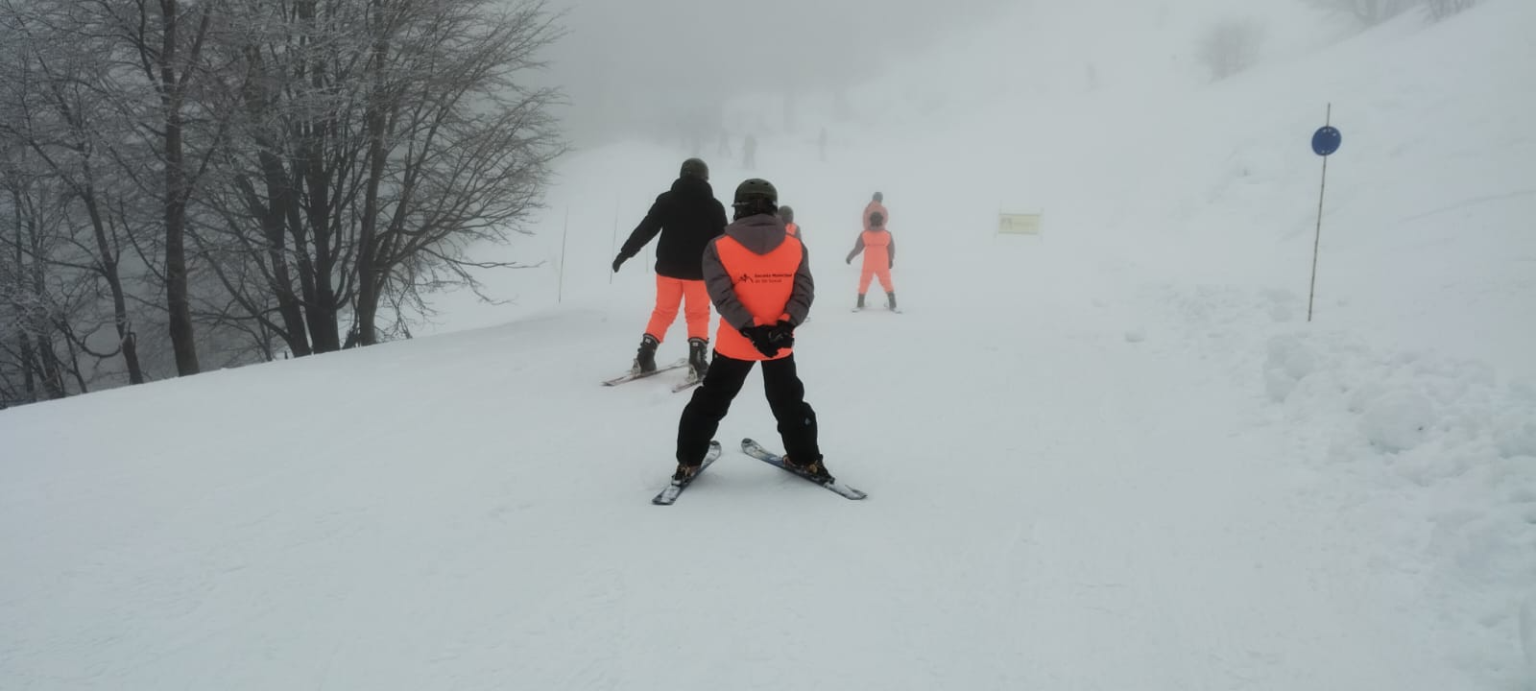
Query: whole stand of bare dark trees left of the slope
[{"x": 219, "y": 182}]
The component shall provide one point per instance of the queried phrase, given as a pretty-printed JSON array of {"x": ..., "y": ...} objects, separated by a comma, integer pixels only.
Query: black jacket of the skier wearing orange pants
[{"x": 689, "y": 217}]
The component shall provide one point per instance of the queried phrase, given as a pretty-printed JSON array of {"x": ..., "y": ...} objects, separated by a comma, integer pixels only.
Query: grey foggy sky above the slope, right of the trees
[{"x": 627, "y": 64}]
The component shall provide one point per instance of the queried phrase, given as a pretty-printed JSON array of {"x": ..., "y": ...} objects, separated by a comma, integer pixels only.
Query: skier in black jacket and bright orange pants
[{"x": 687, "y": 217}]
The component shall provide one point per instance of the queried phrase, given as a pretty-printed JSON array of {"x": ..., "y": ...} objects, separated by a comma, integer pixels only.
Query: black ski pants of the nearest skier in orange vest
[{"x": 713, "y": 400}]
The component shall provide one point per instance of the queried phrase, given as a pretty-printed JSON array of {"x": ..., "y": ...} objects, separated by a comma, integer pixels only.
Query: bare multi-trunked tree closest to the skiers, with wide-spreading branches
[{"x": 377, "y": 142}]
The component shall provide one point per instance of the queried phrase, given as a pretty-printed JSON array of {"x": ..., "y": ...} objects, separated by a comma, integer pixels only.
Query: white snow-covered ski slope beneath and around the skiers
[{"x": 1110, "y": 457}]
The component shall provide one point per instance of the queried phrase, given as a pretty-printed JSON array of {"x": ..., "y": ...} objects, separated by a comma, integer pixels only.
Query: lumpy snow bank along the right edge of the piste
[{"x": 1442, "y": 451}]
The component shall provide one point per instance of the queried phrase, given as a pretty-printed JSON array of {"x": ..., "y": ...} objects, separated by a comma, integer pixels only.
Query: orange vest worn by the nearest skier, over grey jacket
[{"x": 764, "y": 285}]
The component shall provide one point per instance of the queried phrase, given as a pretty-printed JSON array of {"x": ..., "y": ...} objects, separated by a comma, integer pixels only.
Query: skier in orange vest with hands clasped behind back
[{"x": 760, "y": 280}]
